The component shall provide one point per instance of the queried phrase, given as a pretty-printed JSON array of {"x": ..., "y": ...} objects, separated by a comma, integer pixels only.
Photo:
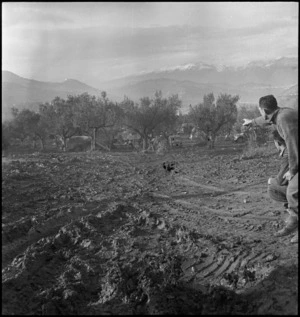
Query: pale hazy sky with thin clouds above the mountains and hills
[{"x": 99, "y": 41}]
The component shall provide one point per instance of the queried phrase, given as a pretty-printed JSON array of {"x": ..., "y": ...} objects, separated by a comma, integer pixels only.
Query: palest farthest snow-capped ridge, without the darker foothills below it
[{"x": 279, "y": 72}]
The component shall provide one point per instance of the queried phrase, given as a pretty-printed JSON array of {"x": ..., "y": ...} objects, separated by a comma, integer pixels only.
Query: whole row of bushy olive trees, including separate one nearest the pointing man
[{"x": 99, "y": 116}]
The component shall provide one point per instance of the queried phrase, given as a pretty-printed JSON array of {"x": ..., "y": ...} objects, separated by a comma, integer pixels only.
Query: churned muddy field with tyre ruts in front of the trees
[{"x": 115, "y": 233}]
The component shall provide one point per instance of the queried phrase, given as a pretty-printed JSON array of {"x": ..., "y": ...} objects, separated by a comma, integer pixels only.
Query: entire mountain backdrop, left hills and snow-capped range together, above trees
[{"x": 191, "y": 82}]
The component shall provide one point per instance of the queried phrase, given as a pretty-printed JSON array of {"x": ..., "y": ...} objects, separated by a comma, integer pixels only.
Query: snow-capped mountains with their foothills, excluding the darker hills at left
[{"x": 193, "y": 81}]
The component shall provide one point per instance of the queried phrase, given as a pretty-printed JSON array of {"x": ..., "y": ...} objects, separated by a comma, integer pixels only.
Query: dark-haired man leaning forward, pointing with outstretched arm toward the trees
[{"x": 286, "y": 123}]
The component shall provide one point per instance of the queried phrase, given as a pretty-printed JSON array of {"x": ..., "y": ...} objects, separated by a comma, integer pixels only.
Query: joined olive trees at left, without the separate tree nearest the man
[{"x": 88, "y": 115}]
